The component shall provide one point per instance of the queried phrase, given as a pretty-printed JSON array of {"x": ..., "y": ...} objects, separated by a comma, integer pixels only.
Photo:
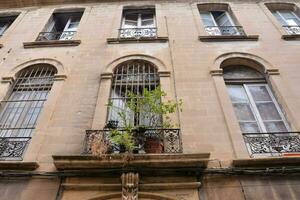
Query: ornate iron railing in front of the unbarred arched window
[{"x": 272, "y": 144}]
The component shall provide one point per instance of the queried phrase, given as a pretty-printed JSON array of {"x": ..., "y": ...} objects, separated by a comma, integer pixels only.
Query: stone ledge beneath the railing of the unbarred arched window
[{"x": 267, "y": 162}]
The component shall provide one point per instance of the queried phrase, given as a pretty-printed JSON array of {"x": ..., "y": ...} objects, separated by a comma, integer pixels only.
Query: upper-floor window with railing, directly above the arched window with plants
[{"x": 138, "y": 23}]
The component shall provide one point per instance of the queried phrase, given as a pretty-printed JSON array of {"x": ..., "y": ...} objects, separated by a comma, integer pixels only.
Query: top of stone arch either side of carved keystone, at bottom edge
[{"x": 146, "y": 195}]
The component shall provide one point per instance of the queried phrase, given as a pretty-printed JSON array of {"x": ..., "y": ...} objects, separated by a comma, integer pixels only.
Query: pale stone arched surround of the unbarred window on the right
[{"x": 283, "y": 94}]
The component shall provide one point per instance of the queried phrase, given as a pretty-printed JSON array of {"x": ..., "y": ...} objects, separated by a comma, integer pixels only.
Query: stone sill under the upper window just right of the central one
[{"x": 225, "y": 38}]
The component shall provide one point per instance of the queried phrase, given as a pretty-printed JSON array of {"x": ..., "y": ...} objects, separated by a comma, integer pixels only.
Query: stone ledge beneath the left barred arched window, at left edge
[{"x": 15, "y": 165}]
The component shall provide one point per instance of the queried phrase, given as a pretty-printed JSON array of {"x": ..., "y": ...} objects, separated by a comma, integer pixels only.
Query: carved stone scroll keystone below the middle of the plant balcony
[{"x": 130, "y": 182}]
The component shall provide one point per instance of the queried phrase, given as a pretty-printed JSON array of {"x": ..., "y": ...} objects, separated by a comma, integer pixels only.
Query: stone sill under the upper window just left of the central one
[{"x": 51, "y": 43}]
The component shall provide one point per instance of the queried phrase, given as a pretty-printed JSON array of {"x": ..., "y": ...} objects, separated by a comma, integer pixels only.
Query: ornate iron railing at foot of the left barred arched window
[{"x": 13, "y": 148}]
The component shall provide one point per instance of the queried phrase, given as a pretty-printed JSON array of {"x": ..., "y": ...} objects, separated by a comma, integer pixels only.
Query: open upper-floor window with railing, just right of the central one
[{"x": 218, "y": 20}]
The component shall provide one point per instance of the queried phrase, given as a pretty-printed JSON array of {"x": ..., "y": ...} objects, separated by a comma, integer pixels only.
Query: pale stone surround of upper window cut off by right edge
[{"x": 265, "y": 5}]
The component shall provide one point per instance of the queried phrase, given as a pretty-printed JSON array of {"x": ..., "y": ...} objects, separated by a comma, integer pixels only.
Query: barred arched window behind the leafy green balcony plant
[{"x": 132, "y": 76}]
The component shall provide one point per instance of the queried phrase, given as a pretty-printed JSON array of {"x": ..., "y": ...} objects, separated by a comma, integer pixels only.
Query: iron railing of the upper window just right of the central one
[{"x": 225, "y": 30}]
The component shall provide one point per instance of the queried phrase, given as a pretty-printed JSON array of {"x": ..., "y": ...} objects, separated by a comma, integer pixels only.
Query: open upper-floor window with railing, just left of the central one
[{"x": 61, "y": 26}]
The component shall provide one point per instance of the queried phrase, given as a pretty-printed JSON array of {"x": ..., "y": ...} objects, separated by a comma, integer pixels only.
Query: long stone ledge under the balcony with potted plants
[{"x": 143, "y": 161}]
